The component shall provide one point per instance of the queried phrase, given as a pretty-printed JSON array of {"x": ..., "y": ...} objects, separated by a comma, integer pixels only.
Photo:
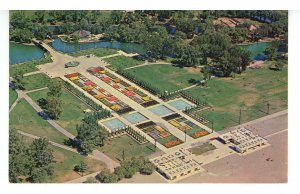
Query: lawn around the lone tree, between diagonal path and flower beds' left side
[{"x": 72, "y": 113}]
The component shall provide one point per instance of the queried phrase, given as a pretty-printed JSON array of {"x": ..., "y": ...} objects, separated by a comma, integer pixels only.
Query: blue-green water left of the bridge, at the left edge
[{"x": 19, "y": 53}]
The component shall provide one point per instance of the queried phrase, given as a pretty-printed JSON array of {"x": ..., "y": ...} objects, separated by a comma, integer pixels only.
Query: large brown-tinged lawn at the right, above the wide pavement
[{"x": 250, "y": 91}]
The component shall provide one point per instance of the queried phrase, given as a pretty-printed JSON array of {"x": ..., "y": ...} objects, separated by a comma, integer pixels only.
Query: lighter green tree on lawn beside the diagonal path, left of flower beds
[{"x": 54, "y": 107}]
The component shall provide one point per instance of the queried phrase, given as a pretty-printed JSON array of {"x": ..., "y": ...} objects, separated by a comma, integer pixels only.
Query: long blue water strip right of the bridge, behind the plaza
[{"x": 65, "y": 47}]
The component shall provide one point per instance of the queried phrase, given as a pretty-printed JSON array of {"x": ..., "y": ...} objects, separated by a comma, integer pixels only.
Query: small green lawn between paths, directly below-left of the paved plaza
[{"x": 36, "y": 81}]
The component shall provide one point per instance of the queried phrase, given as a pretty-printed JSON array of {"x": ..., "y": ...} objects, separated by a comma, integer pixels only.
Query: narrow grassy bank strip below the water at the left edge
[{"x": 28, "y": 67}]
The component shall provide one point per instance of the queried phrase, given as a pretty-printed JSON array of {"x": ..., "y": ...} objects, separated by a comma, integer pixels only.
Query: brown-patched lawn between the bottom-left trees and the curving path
[{"x": 65, "y": 162}]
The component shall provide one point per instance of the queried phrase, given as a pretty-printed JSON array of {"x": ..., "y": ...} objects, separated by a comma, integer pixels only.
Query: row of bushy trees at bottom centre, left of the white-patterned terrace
[{"x": 127, "y": 169}]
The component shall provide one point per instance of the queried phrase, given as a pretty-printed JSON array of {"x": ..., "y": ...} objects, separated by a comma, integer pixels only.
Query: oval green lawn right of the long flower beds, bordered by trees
[{"x": 167, "y": 77}]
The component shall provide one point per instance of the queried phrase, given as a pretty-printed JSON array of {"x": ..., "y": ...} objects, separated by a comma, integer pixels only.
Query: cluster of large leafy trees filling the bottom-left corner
[{"x": 33, "y": 163}]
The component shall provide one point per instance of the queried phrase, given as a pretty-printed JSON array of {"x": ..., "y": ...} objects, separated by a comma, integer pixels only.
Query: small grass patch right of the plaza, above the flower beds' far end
[{"x": 122, "y": 62}]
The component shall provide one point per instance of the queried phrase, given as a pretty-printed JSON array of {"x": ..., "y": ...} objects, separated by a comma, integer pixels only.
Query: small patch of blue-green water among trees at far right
[{"x": 257, "y": 50}]
